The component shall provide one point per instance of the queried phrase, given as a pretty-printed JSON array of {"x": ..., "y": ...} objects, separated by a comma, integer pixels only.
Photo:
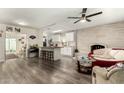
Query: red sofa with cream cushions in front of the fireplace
[{"x": 106, "y": 57}]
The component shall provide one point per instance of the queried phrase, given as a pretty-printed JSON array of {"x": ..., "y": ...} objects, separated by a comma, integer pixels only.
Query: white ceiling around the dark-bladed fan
[{"x": 52, "y": 19}]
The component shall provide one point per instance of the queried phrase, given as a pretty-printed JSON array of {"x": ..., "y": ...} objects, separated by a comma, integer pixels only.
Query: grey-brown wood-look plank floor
[{"x": 36, "y": 71}]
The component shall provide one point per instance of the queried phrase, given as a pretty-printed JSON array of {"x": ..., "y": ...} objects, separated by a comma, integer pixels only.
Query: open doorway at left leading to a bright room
[{"x": 15, "y": 45}]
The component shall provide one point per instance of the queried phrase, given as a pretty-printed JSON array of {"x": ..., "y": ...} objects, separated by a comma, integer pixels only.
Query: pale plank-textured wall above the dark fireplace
[{"x": 111, "y": 35}]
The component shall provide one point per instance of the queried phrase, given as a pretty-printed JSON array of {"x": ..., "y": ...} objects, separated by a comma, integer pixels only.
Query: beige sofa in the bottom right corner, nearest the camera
[{"x": 111, "y": 75}]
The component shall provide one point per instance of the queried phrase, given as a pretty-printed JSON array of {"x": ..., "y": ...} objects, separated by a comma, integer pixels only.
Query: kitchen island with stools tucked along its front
[{"x": 50, "y": 53}]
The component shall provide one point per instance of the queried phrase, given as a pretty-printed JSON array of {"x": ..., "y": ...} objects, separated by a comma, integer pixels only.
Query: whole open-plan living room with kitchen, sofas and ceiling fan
[{"x": 64, "y": 48}]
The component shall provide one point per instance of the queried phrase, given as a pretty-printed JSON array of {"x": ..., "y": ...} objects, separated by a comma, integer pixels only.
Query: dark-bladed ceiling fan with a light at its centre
[{"x": 84, "y": 17}]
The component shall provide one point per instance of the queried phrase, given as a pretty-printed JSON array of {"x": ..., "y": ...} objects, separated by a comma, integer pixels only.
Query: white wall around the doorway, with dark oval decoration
[{"x": 24, "y": 30}]
